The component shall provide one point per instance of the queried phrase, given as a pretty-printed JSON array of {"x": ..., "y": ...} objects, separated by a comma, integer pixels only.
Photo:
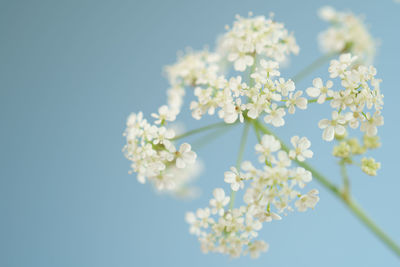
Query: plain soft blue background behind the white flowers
[{"x": 72, "y": 71}]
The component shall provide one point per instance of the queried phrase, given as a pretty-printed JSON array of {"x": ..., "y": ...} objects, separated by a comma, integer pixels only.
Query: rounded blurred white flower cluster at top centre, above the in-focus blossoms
[{"x": 256, "y": 36}]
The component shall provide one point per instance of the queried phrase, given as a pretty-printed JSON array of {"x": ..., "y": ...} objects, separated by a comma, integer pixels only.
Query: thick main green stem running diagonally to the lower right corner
[{"x": 348, "y": 201}]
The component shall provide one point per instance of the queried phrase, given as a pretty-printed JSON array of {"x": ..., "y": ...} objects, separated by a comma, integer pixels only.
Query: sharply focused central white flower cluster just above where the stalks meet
[{"x": 268, "y": 94}]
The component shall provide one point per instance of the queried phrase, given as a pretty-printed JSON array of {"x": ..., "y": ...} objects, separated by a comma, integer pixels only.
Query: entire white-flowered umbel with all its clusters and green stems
[{"x": 254, "y": 94}]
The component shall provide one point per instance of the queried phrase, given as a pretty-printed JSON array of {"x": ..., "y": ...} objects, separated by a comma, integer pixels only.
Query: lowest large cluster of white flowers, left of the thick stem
[{"x": 270, "y": 193}]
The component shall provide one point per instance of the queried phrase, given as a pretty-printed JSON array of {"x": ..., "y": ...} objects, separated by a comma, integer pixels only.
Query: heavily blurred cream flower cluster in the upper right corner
[{"x": 347, "y": 33}]
